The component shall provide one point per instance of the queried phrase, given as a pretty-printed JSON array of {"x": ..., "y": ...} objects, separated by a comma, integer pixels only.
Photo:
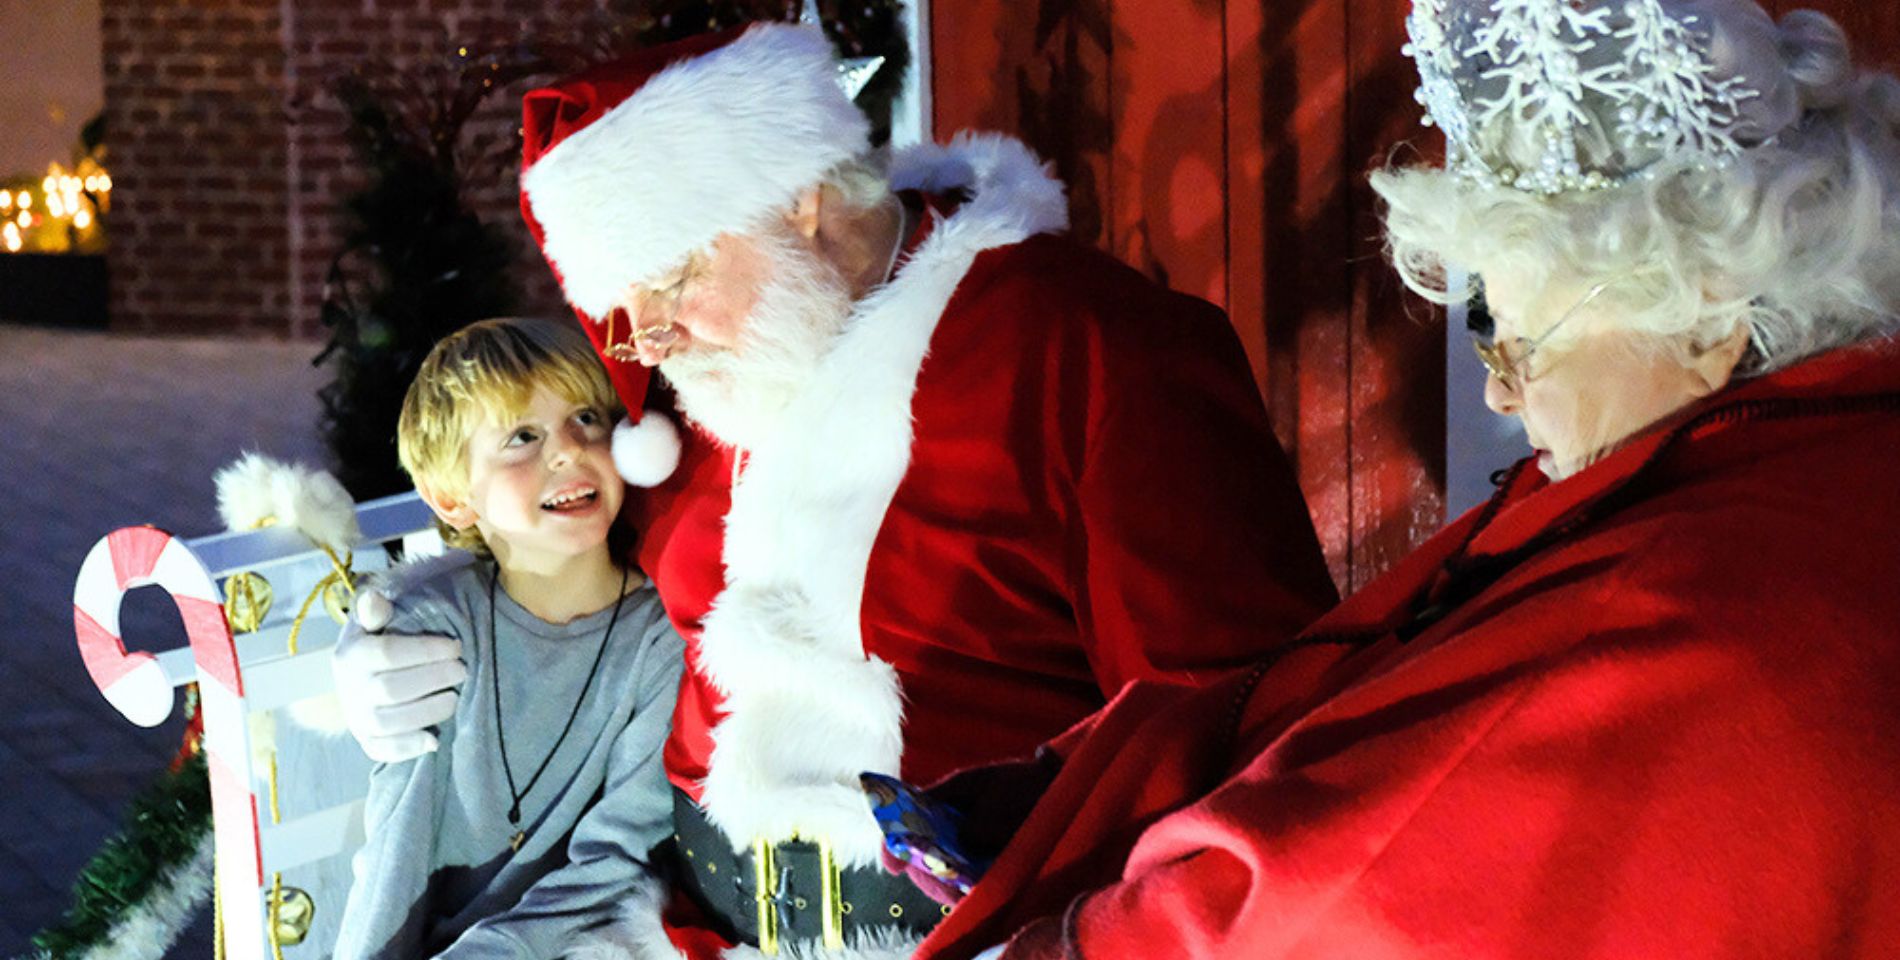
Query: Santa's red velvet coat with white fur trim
[{"x": 1029, "y": 478}]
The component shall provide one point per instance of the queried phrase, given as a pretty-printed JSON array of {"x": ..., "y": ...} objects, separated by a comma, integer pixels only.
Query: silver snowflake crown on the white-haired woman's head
[{"x": 1551, "y": 66}]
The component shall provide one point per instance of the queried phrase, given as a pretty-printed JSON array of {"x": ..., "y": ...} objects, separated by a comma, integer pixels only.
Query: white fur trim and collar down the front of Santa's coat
[{"x": 808, "y": 710}]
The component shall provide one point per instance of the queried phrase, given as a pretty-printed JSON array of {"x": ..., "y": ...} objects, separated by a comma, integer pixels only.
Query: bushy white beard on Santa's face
[{"x": 740, "y": 394}]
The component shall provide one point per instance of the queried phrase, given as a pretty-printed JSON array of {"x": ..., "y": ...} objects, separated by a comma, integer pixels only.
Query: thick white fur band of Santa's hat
[{"x": 708, "y": 147}]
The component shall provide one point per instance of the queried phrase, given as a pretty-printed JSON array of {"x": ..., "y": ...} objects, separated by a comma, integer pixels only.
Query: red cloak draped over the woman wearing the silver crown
[{"x": 1646, "y": 712}]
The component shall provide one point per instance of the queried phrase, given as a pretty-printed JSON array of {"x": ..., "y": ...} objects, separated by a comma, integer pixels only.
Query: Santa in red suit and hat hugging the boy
[{"x": 949, "y": 482}]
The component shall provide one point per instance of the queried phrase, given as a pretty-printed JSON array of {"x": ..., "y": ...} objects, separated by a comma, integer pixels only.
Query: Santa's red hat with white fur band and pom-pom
[{"x": 634, "y": 164}]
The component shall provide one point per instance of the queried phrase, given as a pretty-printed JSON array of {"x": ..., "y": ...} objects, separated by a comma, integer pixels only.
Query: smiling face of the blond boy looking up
[{"x": 542, "y": 486}]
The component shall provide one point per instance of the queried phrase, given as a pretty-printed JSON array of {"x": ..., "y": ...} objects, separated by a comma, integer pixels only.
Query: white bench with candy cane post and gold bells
[{"x": 288, "y": 801}]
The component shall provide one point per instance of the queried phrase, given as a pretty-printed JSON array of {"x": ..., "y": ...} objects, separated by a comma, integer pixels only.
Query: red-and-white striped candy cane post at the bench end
[{"x": 136, "y": 685}]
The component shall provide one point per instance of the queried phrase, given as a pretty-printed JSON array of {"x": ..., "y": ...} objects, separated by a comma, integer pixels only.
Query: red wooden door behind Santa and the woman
[{"x": 1223, "y": 145}]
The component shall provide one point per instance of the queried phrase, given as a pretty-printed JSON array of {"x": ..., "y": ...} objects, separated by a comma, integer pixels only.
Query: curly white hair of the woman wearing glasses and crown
[{"x": 1798, "y": 240}]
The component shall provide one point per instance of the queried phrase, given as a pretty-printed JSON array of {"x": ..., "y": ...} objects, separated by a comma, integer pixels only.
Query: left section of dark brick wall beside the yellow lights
[{"x": 195, "y": 119}]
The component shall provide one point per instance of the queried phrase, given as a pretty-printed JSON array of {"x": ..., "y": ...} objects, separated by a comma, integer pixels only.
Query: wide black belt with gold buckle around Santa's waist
[{"x": 795, "y": 904}]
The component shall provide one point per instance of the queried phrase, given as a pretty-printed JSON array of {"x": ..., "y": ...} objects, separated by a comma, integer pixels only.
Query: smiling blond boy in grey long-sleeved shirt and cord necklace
[{"x": 537, "y": 815}]
